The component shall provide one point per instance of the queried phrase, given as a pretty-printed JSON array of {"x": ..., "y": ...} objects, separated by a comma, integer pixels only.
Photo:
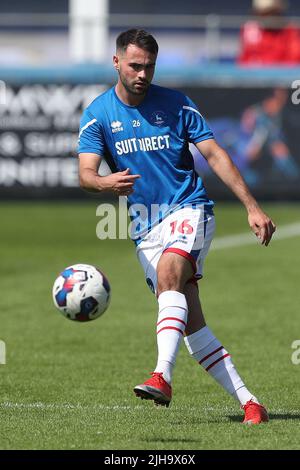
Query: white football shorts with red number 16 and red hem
[{"x": 187, "y": 232}]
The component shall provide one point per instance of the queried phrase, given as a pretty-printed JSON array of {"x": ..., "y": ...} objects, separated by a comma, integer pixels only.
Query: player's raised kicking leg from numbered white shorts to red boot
[{"x": 167, "y": 272}]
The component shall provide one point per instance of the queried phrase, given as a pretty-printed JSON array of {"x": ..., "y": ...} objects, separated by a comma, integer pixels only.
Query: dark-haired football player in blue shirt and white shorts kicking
[{"x": 144, "y": 131}]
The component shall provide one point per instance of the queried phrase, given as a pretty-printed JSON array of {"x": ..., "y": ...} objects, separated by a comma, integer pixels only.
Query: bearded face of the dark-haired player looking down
[{"x": 136, "y": 69}]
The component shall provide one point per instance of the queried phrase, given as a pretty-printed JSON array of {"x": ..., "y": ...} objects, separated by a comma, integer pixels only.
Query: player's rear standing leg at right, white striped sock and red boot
[{"x": 208, "y": 351}]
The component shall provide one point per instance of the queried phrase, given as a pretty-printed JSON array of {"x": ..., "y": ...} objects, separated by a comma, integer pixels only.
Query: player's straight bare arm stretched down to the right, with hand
[{"x": 222, "y": 165}]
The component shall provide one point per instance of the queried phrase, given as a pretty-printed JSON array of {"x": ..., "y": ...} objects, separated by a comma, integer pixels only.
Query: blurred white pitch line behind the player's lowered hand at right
[{"x": 241, "y": 239}]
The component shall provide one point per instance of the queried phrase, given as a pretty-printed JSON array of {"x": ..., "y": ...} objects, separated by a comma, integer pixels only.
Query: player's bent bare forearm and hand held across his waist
[{"x": 120, "y": 183}]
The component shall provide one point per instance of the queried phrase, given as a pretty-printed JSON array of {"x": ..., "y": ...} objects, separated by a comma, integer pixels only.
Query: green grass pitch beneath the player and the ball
[{"x": 68, "y": 385}]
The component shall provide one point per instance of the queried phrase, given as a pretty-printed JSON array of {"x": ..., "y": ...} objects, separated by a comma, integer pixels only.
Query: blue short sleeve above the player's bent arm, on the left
[{"x": 90, "y": 138}]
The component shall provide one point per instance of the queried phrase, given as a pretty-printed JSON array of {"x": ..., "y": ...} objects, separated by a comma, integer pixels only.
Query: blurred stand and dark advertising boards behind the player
[{"x": 55, "y": 57}]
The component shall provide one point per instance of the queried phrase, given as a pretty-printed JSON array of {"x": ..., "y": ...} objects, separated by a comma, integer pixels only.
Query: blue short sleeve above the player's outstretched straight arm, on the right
[{"x": 196, "y": 127}]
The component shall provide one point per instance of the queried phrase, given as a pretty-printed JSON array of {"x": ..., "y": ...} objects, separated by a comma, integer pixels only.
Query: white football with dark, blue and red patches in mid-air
[{"x": 81, "y": 292}]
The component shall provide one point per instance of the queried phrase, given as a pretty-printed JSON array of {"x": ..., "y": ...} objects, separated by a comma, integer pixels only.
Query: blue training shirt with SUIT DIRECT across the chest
[{"x": 152, "y": 140}]
